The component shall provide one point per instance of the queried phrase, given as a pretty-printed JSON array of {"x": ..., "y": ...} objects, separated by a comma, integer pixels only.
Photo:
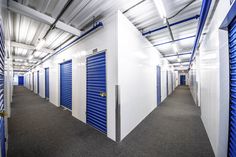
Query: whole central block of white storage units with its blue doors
[{"x": 111, "y": 89}]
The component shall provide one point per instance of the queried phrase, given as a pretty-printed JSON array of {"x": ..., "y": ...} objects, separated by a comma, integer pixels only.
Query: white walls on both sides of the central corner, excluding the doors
[{"x": 133, "y": 62}]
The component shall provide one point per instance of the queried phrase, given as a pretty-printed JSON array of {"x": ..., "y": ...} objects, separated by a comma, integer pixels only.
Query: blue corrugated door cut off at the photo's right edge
[{"x": 232, "y": 105}]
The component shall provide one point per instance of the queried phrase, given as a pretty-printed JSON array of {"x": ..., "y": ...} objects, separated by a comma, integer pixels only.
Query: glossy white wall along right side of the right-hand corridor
[{"x": 213, "y": 92}]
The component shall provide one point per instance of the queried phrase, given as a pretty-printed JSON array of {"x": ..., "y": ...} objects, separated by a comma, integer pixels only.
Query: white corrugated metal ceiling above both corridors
[{"x": 145, "y": 16}]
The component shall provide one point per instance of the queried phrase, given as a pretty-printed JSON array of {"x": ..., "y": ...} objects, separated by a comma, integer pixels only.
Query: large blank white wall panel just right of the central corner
[{"x": 137, "y": 61}]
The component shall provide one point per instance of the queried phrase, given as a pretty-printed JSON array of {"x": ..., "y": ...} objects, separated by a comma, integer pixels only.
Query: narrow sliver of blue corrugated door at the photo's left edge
[{"x": 2, "y": 110}]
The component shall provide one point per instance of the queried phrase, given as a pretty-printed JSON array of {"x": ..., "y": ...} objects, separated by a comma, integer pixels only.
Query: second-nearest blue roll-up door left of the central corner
[{"x": 66, "y": 84}]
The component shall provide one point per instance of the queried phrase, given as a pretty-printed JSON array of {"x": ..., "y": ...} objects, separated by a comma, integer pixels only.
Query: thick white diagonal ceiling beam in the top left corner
[{"x": 34, "y": 14}]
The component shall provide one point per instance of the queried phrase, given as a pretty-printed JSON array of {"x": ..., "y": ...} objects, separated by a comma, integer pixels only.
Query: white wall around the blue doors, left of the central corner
[{"x": 103, "y": 39}]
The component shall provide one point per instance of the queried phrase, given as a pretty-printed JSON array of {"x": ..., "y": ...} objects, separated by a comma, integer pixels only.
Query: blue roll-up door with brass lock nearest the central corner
[{"x": 96, "y": 92}]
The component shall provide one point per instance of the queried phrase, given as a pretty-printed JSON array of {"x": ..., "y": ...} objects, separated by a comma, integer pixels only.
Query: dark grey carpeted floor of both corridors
[{"x": 40, "y": 129}]
